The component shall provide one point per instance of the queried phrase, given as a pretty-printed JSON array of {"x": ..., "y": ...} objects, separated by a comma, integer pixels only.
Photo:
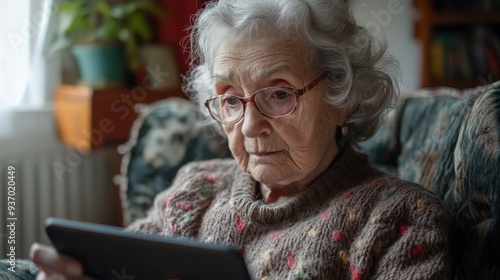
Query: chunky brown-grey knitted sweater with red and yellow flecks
[{"x": 352, "y": 222}]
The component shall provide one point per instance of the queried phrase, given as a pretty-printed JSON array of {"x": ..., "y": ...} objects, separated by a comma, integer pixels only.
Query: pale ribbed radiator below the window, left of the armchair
[{"x": 54, "y": 180}]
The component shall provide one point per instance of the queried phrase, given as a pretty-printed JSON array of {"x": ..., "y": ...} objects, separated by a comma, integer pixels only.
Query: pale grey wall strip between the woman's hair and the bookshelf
[{"x": 394, "y": 20}]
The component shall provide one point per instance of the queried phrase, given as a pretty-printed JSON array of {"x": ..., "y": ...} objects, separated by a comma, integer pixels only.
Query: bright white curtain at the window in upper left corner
[{"x": 27, "y": 76}]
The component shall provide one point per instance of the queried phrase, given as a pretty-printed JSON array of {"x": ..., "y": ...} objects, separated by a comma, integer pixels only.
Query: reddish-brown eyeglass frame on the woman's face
[{"x": 245, "y": 100}]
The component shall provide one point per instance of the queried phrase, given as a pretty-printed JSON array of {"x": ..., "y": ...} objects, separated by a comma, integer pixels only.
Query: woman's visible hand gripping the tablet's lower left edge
[{"x": 52, "y": 261}]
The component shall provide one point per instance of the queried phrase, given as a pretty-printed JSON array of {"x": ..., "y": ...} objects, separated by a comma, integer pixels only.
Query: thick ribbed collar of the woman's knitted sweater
[{"x": 348, "y": 170}]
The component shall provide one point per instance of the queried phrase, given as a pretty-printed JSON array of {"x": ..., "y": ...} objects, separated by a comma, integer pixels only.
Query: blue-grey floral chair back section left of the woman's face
[{"x": 166, "y": 135}]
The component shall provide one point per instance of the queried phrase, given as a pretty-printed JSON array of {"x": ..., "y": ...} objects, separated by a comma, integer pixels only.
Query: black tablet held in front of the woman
[{"x": 108, "y": 252}]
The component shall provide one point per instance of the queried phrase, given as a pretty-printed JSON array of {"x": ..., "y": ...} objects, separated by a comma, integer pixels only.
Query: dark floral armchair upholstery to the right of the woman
[{"x": 449, "y": 141}]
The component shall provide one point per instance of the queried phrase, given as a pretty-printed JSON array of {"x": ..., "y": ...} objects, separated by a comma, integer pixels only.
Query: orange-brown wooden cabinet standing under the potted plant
[{"x": 88, "y": 118}]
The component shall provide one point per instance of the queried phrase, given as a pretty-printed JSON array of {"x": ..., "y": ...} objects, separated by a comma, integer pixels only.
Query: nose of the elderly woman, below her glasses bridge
[{"x": 254, "y": 122}]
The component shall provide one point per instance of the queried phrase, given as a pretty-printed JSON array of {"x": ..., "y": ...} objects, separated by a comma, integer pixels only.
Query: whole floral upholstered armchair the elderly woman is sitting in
[{"x": 445, "y": 139}]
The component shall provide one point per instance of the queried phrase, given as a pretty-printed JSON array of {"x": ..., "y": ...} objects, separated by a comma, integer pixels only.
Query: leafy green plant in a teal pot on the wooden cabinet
[{"x": 105, "y": 36}]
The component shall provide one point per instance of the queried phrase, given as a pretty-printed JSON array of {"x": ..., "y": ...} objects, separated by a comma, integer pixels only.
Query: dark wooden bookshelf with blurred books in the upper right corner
[{"x": 460, "y": 42}]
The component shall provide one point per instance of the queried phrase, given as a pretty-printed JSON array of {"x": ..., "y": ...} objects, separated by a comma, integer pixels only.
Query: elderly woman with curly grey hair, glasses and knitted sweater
[{"x": 295, "y": 84}]
